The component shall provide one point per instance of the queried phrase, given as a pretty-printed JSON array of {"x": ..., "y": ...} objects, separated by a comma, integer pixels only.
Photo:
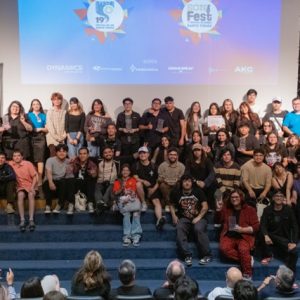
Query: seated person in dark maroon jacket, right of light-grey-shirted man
[{"x": 85, "y": 173}]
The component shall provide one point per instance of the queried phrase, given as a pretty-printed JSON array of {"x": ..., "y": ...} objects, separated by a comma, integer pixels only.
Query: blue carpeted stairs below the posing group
[{"x": 60, "y": 243}]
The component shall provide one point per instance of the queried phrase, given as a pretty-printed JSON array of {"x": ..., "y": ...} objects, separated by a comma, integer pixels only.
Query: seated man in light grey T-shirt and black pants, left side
[{"x": 59, "y": 181}]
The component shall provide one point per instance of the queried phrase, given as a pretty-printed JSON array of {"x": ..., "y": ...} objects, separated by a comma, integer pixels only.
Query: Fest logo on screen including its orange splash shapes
[{"x": 198, "y": 19}]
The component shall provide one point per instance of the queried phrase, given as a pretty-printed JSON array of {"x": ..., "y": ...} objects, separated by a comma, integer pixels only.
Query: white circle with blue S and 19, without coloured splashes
[{"x": 105, "y": 15}]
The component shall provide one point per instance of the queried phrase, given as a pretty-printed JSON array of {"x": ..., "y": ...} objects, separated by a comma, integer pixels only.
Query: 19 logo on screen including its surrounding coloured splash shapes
[{"x": 103, "y": 18}]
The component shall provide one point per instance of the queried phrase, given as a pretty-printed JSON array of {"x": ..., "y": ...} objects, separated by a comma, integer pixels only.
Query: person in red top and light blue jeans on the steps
[{"x": 124, "y": 190}]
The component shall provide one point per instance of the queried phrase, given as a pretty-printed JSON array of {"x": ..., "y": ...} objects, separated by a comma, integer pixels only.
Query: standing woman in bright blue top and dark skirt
[{"x": 37, "y": 118}]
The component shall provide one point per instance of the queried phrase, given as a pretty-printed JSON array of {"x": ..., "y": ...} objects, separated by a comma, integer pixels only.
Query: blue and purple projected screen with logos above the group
[{"x": 200, "y": 42}]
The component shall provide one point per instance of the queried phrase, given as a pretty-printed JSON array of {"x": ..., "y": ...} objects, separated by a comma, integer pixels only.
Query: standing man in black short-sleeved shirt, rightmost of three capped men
[{"x": 176, "y": 122}]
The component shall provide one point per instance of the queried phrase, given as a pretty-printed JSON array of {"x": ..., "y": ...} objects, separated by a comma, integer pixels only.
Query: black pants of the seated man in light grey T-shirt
[{"x": 65, "y": 191}]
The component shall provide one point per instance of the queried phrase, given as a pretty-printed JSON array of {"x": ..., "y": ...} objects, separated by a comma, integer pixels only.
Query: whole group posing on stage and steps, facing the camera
[{"x": 185, "y": 166}]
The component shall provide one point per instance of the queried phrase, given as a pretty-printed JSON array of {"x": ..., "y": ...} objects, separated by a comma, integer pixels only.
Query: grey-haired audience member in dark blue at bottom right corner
[{"x": 279, "y": 286}]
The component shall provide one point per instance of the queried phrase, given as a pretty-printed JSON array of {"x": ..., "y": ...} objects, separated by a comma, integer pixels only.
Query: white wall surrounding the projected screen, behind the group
[{"x": 142, "y": 95}]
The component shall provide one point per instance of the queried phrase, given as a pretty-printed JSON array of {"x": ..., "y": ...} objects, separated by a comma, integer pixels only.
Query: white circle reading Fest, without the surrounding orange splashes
[{"x": 200, "y": 16}]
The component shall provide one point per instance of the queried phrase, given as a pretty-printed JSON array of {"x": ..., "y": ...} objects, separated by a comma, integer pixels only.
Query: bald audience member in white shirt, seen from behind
[{"x": 233, "y": 275}]
